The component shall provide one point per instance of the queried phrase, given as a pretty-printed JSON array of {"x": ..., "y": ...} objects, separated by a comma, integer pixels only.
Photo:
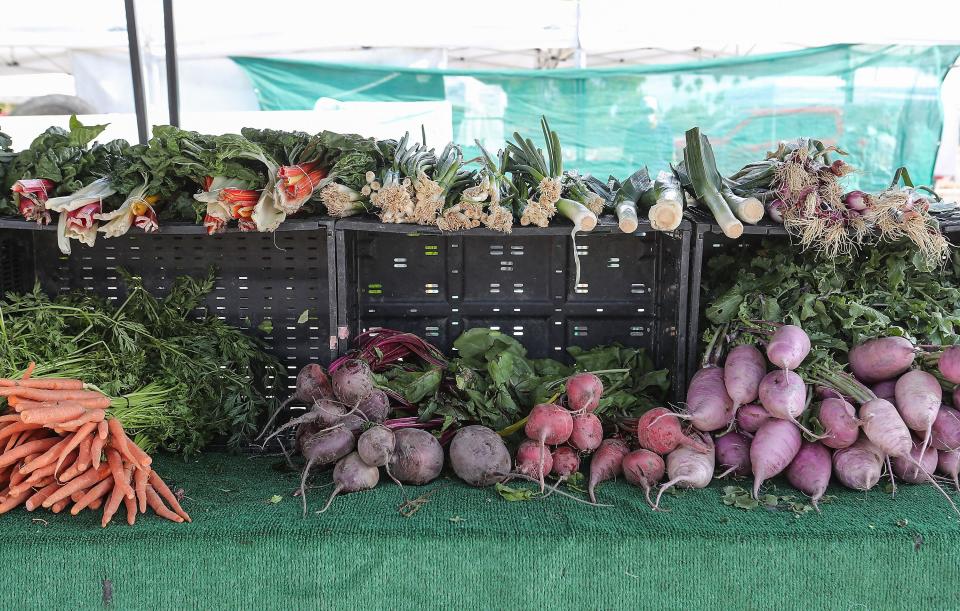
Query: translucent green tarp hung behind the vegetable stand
[{"x": 881, "y": 103}]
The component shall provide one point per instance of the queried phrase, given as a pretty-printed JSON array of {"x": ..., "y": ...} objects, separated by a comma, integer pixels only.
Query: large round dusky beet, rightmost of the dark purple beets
[{"x": 479, "y": 457}]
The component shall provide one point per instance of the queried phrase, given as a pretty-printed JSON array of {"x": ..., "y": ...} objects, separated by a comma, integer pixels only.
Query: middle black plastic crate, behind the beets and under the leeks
[{"x": 633, "y": 288}]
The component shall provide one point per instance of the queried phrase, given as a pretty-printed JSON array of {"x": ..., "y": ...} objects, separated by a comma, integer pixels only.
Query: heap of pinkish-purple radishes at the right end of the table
[{"x": 754, "y": 416}]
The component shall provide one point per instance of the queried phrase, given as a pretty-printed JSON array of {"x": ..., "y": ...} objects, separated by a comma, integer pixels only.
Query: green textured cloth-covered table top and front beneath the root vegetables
[{"x": 469, "y": 548}]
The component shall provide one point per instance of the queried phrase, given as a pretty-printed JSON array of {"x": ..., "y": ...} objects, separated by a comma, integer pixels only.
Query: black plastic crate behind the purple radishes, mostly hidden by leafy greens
[{"x": 708, "y": 240}]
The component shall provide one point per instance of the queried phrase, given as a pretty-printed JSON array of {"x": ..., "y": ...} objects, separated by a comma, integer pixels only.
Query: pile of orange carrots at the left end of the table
[{"x": 60, "y": 448}]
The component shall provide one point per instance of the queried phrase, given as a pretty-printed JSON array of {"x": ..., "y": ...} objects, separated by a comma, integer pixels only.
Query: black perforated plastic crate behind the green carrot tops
[{"x": 259, "y": 276}]
